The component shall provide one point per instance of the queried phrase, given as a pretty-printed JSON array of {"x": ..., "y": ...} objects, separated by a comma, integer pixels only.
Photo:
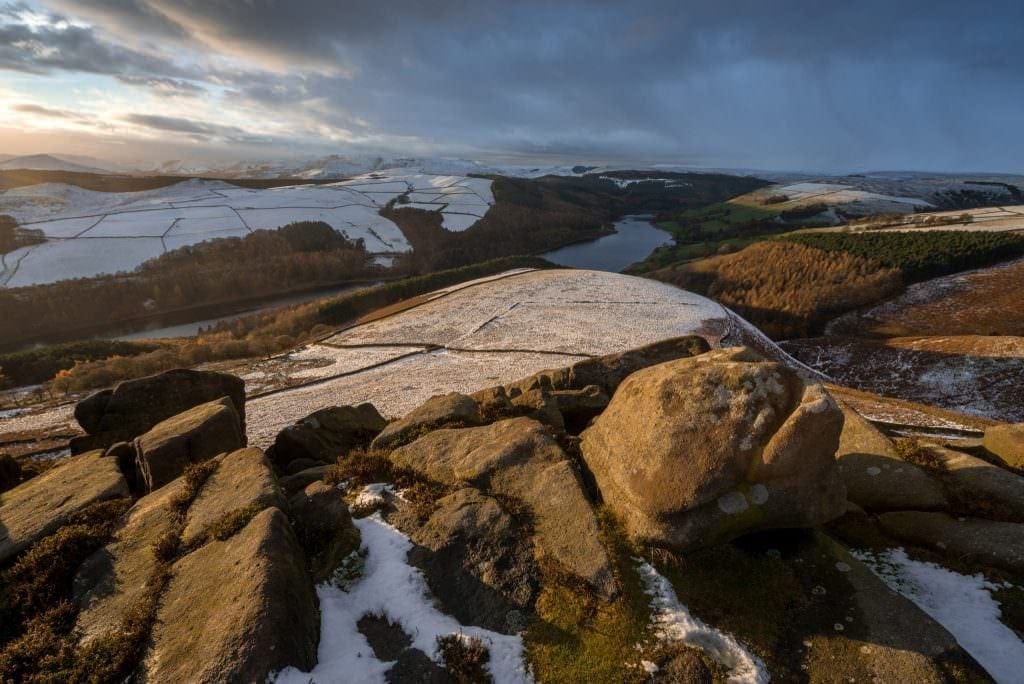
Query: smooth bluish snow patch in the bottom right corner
[{"x": 962, "y": 604}]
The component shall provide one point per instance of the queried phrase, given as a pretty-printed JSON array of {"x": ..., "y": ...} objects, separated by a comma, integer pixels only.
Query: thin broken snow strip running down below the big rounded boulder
[{"x": 674, "y": 623}]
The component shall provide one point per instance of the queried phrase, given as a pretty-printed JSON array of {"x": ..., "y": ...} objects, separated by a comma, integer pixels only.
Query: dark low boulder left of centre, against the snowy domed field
[{"x": 327, "y": 435}]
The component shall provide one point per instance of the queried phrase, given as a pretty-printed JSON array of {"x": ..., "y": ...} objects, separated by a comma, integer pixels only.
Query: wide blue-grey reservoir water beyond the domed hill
[{"x": 634, "y": 240}]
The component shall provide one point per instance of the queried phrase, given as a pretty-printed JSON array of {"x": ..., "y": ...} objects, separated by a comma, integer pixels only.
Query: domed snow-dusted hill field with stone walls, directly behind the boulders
[{"x": 493, "y": 331}]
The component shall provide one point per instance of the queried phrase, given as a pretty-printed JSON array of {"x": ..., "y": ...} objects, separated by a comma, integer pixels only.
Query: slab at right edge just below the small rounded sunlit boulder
[{"x": 982, "y": 488}]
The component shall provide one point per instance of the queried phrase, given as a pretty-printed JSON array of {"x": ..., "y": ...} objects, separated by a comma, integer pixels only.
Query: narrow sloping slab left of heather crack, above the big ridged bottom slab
[{"x": 113, "y": 580}]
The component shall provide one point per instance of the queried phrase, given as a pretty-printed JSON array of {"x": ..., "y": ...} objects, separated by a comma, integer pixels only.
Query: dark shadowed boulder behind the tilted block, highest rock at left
[{"x": 135, "y": 407}]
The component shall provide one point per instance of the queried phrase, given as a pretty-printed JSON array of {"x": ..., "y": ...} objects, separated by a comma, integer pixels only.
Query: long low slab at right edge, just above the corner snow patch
[{"x": 973, "y": 540}]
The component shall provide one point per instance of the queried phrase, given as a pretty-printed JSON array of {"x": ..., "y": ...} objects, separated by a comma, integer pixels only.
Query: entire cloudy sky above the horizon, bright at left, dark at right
[{"x": 792, "y": 85}]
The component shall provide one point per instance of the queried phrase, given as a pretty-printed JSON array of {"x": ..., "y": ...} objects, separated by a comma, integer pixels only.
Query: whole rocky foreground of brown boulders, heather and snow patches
[{"x": 673, "y": 514}]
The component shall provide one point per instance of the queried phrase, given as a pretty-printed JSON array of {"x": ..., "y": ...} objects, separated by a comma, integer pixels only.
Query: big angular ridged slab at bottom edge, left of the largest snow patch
[{"x": 237, "y": 611}]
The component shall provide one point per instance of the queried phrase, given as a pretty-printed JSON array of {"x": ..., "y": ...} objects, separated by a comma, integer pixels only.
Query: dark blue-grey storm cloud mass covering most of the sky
[{"x": 812, "y": 84}]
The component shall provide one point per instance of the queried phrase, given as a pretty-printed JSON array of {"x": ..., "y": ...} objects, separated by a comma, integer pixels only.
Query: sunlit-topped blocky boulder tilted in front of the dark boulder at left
[{"x": 196, "y": 436}]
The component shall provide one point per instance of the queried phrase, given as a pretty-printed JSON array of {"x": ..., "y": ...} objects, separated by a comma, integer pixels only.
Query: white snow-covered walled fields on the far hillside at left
[{"x": 93, "y": 233}]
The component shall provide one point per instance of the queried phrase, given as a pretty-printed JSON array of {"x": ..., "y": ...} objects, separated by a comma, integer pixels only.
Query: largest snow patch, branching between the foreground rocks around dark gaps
[{"x": 393, "y": 588}]
